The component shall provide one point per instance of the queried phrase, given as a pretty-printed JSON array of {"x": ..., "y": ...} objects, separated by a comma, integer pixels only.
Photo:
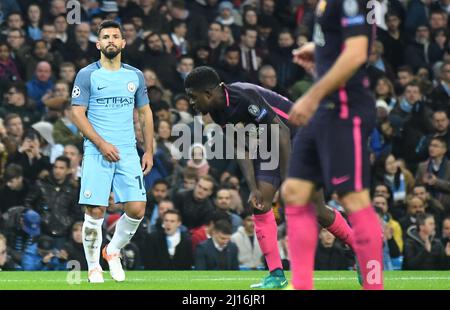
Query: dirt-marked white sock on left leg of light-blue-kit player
[{"x": 92, "y": 240}]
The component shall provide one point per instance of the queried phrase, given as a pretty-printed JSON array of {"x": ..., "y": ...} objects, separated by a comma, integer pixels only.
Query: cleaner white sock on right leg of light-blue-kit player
[{"x": 125, "y": 229}]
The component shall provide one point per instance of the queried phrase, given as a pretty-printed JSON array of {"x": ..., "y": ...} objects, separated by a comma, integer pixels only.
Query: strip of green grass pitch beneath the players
[{"x": 216, "y": 280}]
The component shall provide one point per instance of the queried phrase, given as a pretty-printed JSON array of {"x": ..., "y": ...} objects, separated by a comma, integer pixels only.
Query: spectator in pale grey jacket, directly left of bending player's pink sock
[{"x": 250, "y": 254}]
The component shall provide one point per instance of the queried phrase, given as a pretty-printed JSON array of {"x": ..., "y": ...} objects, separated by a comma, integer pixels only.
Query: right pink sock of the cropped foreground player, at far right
[{"x": 368, "y": 247}]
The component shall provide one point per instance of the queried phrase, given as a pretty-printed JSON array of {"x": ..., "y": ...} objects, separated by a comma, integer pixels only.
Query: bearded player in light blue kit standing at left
[{"x": 103, "y": 98}]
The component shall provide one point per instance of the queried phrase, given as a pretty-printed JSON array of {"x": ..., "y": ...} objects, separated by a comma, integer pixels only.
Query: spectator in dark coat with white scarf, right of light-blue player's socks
[{"x": 168, "y": 248}]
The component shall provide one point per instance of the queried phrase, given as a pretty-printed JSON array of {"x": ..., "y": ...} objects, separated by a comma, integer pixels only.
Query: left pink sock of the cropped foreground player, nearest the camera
[{"x": 302, "y": 241}]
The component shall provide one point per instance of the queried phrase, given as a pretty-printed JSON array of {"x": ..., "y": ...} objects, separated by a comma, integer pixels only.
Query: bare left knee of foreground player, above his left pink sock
[{"x": 297, "y": 192}]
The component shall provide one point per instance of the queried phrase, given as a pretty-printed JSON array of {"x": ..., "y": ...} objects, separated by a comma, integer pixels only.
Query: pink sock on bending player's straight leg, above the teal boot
[{"x": 266, "y": 232}]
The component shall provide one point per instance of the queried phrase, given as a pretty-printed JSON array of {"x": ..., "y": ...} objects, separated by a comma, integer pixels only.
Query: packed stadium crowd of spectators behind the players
[{"x": 197, "y": 213}]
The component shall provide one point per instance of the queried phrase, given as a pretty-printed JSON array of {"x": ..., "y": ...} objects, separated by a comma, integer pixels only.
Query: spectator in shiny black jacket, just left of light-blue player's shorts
[{"x": 55, "y": 198}]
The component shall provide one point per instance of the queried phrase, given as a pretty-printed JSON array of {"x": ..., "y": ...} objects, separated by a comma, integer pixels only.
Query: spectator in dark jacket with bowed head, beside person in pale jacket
[{"x": 217, "y": 253}]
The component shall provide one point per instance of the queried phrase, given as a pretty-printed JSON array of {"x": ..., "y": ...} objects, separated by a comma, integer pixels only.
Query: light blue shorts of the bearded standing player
[{"x": 100, "y": 177}]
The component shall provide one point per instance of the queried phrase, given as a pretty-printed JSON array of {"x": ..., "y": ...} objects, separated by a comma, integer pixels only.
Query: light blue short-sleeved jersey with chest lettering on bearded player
[{"x": 110, "y": 97}]
